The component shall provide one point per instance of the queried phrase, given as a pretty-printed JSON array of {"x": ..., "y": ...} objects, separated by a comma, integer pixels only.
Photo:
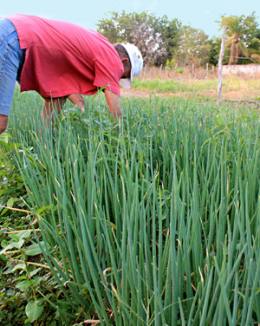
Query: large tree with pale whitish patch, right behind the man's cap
[{"x": 155, "y": 37}]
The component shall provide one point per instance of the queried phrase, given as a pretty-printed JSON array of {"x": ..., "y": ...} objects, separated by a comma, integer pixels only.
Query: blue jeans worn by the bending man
[{"x": 11, "y": 61}]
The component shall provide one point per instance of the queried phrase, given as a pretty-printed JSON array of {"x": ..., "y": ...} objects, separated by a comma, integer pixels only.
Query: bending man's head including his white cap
[{"x": 132, "y": 61}]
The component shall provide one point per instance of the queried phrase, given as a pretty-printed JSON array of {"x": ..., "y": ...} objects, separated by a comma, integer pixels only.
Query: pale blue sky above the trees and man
[{"x": 202, "y": 14}]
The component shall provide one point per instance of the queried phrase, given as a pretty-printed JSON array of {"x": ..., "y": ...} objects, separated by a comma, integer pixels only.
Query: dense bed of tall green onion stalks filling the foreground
[{"x": 150, "y": 221}]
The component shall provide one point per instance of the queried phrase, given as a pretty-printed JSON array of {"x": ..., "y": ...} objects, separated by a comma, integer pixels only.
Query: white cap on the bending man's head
[{"x": 137, "y": 62}]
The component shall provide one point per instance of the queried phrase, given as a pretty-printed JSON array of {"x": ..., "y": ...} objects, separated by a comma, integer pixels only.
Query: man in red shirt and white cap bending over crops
[{"x": 61, "y": 61}]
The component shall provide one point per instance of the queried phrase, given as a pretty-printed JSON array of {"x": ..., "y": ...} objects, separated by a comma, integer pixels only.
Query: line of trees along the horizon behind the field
[{"x": 169, "y": 43}]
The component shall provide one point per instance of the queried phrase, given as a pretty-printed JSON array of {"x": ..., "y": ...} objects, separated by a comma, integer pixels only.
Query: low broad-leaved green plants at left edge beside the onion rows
[{"x": 28, "y": 291}]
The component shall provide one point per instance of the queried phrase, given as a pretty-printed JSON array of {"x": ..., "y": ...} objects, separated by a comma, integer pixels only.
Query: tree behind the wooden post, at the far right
[{"x": 242, "y": 37}]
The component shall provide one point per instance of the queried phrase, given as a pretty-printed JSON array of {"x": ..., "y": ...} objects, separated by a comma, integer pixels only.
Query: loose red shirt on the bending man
[{"x": 63, "y": 59}]
